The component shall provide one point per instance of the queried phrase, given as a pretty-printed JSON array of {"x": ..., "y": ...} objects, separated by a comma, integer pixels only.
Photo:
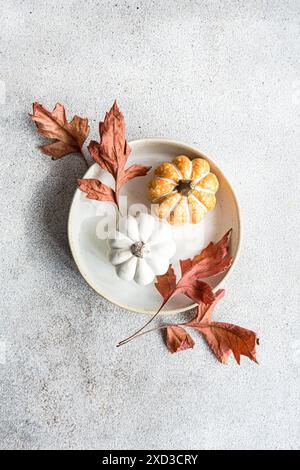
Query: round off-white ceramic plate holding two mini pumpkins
[{"x": 87, "y": 219}]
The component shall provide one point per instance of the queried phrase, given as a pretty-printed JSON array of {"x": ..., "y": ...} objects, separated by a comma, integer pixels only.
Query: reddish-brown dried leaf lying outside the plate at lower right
[{"x": 224, "y": 338}]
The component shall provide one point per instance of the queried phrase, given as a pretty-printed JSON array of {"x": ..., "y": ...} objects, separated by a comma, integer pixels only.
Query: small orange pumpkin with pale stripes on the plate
[{"x": 183, "y": 190}]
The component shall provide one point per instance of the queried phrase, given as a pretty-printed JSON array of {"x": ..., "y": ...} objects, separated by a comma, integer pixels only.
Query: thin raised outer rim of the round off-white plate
[{"x": 85, "y": 276}]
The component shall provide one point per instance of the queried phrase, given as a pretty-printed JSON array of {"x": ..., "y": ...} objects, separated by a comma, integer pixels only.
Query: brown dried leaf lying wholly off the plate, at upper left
[{"x": 69, "y": 137}]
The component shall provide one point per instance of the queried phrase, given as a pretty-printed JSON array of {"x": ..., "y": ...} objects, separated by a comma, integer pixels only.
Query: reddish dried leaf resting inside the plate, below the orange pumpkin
[{"x": 214, "y": 259}]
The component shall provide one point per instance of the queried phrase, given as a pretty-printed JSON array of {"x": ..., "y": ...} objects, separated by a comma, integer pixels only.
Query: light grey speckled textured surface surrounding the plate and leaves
[{"x": 223, "y": 75}]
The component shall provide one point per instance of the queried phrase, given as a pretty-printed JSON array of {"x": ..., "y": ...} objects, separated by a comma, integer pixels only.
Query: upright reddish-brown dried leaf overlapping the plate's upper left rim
[{"x": 112, "y": 152}]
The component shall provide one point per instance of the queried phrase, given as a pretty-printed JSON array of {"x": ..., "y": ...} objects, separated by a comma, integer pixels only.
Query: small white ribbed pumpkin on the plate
[{"x": 141, "y": 249}]
